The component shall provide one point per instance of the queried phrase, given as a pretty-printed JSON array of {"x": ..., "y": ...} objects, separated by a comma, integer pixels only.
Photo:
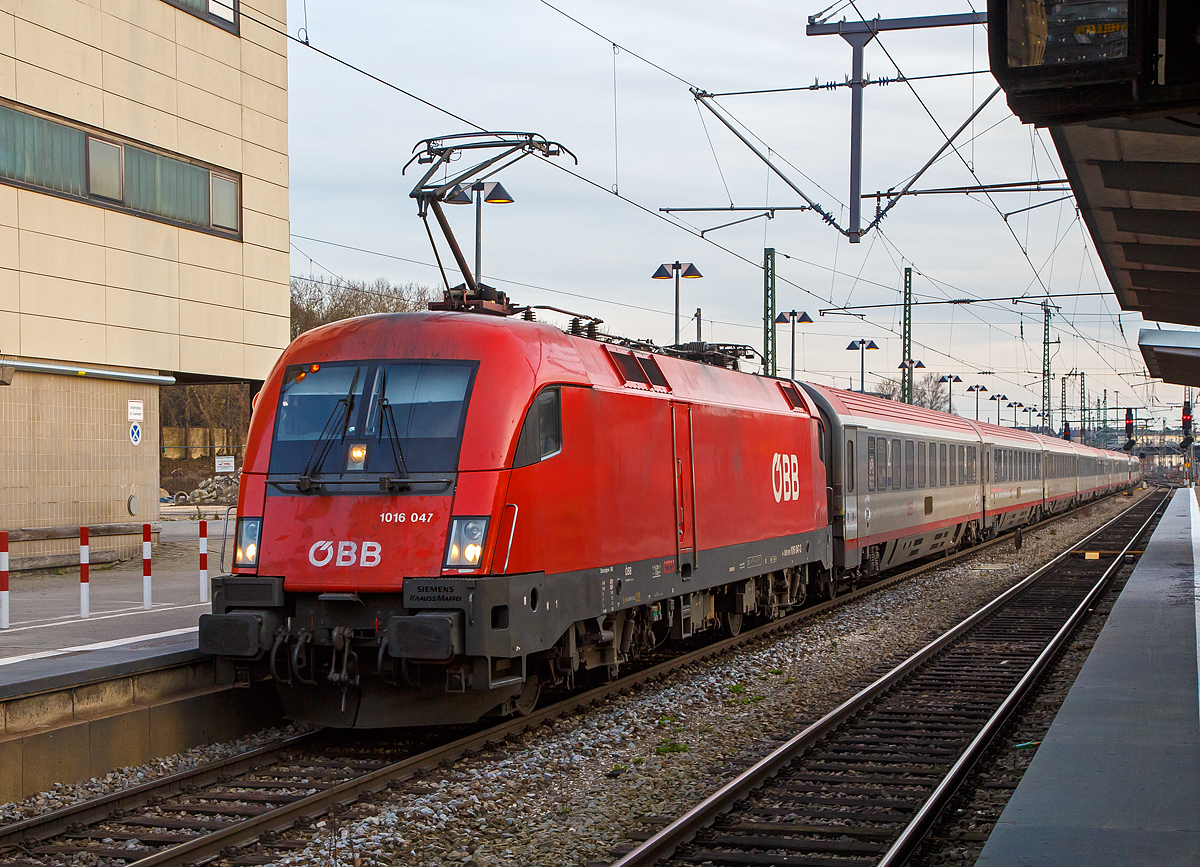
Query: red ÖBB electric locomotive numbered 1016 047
[{"x": 442, "y": 513}]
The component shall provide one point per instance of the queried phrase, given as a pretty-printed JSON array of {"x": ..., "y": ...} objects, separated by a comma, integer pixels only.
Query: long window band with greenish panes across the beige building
[{"x": 58, "y": 158}]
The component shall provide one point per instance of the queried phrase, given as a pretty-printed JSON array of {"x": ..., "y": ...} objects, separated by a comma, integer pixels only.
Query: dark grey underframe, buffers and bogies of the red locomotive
[{"x": 453, "y": 650}]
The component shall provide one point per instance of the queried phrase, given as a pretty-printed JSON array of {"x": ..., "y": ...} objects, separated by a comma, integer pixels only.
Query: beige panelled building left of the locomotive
[{"x": 143, "y": 236}]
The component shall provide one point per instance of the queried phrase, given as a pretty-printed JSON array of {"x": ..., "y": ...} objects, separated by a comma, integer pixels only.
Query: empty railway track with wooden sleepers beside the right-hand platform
[{"x": 865, "y": 785}]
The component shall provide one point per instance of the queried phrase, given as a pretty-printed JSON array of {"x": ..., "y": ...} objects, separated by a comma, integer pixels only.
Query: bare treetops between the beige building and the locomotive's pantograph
[{"x": 319, "y": 302}]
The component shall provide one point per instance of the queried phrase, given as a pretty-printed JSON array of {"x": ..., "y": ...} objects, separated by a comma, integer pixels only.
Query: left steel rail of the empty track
[{"x": 681, "y": 832}]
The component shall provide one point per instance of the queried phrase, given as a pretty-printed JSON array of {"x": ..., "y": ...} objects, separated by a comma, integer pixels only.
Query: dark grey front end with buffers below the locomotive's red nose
[{"x": 347, "y": 660}]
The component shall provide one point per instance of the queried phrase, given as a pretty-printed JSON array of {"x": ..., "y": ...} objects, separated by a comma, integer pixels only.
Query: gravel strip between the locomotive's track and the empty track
[{"x": 569, "y": 792}]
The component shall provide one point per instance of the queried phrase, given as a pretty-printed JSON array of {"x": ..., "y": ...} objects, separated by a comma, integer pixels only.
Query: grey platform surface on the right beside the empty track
[{"x": 1115, "y": 780}]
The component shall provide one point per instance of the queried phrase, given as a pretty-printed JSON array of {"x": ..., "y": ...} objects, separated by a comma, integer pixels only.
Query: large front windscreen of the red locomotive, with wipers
[{"x": 405, "y": 417}]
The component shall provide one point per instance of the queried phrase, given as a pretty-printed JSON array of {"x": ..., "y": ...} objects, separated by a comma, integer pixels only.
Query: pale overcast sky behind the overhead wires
[{"x": 523, "y": 65}]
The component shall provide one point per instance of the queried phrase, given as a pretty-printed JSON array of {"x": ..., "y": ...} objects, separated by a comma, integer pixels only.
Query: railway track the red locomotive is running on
[{"x": 209, "y": 812}]
